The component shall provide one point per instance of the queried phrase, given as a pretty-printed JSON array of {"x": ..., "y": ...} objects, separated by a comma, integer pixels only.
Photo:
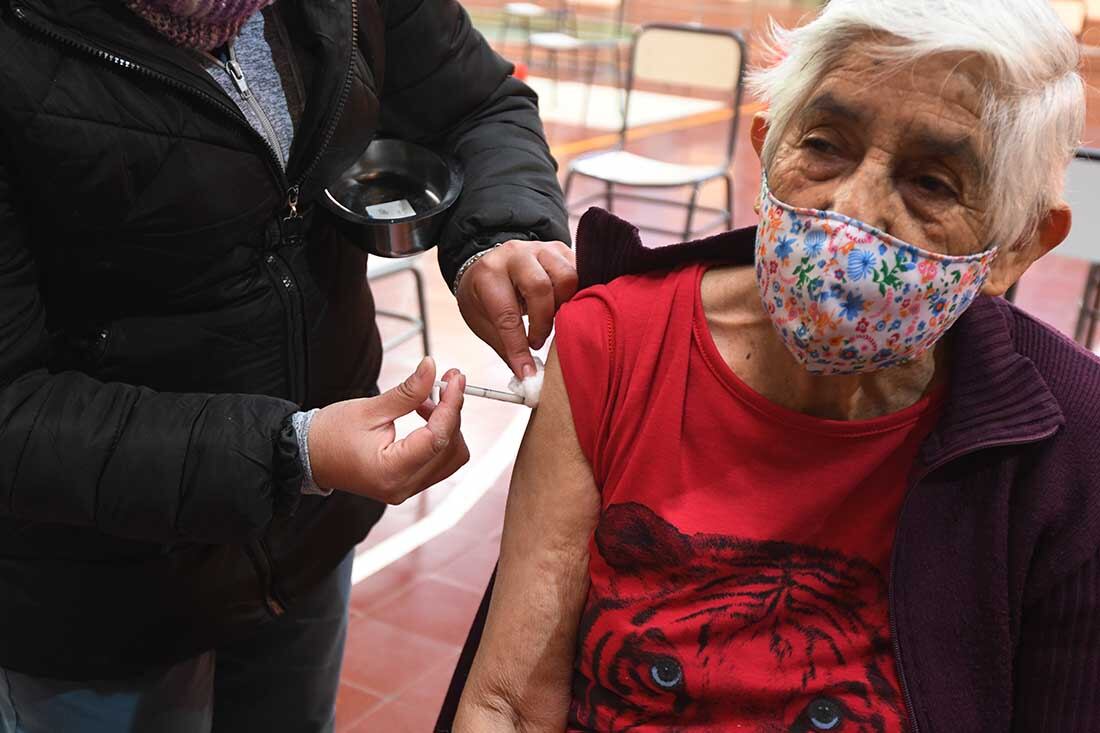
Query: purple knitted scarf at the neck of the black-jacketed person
[{"x": 203, "y": 25}]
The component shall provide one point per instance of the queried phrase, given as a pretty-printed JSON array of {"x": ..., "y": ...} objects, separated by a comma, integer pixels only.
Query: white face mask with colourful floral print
[{"x": 848, "y": 298}]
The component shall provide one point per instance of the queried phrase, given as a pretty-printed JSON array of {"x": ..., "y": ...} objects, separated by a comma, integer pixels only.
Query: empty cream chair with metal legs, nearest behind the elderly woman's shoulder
[{"x": 681, "y": 57}]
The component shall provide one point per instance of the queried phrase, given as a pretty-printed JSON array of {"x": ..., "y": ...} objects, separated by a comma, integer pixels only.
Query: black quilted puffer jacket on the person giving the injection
[{"x": 161, "y": 318}]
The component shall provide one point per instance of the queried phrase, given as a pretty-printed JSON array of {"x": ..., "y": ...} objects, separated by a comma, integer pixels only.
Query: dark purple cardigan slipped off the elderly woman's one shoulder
[{"x": 995, "y": 590}]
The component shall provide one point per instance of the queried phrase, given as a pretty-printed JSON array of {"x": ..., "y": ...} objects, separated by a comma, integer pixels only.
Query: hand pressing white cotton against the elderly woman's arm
[{"x": 516, "y": 279}]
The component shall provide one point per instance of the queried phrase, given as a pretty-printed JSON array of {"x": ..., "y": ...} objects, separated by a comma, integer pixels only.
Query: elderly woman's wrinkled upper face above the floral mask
[{"x": 904, "y": 151}]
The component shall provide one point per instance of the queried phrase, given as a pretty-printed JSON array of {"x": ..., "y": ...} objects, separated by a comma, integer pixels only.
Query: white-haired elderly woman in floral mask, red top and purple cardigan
[{"x": 849, "y": 488}]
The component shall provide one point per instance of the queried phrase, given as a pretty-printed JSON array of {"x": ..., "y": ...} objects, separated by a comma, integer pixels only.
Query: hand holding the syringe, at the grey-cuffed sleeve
[{"x": 353, "y": 444}]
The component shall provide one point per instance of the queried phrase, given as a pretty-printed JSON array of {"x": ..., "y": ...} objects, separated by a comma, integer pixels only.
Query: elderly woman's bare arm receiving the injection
[{"x": 521, "y": 679}]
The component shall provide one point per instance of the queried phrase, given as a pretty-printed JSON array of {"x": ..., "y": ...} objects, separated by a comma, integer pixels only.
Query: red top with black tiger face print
[{"x": 739, "y": 573}]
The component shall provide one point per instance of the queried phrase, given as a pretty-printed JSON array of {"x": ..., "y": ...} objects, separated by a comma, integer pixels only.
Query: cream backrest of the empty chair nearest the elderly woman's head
[{"x": 690, "y": 57}]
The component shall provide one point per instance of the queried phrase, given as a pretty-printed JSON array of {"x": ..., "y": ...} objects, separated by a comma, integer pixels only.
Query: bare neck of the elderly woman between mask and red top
[{"x": 750, "y": 344}]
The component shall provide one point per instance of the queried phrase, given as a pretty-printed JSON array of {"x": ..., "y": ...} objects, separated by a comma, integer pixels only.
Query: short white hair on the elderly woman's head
[{"x": 1033, "y": 105}]
